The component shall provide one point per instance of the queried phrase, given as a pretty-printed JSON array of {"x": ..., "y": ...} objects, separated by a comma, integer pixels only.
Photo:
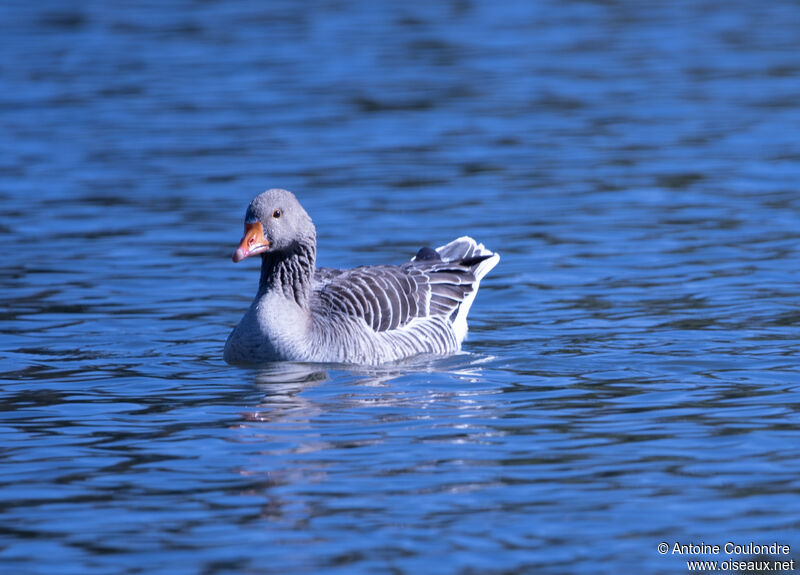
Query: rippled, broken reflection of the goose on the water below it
[{"x": 303, "y": 433}]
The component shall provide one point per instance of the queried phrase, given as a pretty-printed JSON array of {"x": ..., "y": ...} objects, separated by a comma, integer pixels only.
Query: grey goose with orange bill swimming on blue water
[{"x": 364, "y": 315}]
